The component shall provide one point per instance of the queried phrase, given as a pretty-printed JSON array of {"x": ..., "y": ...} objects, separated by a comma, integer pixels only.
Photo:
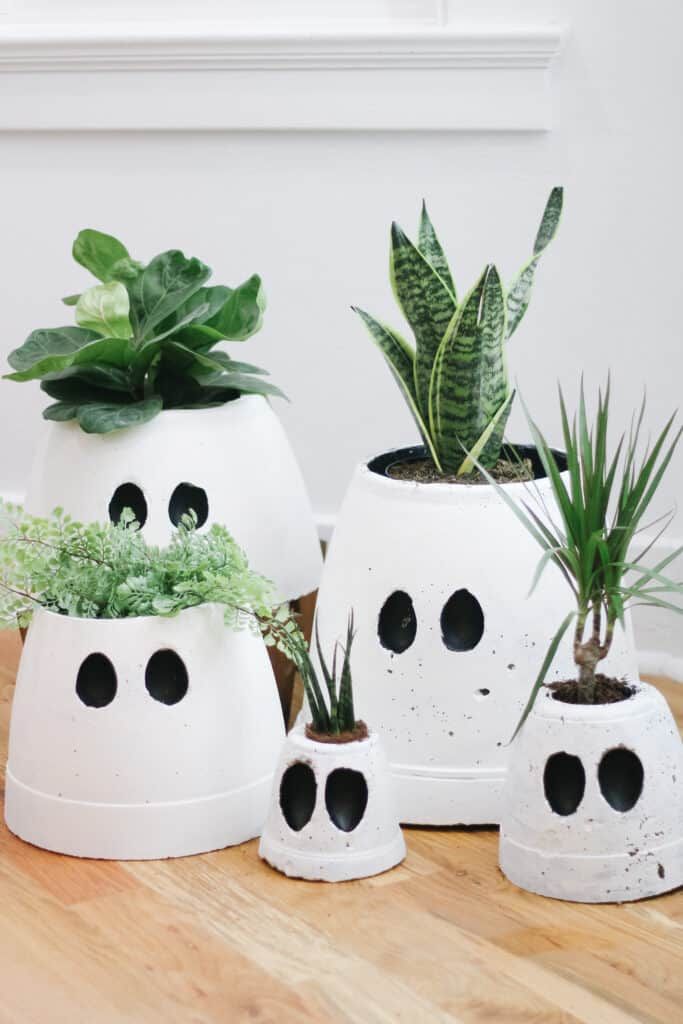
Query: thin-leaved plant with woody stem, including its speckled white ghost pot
[{"x": 593, "y": 802}]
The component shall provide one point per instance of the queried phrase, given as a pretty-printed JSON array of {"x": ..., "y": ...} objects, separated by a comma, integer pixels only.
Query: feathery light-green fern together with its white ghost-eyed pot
[{"x": 146, "y": 720}]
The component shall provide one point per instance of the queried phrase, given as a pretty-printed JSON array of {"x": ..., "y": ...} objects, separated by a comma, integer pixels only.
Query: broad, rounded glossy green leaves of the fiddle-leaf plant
[{"x": 145, "y": 340}]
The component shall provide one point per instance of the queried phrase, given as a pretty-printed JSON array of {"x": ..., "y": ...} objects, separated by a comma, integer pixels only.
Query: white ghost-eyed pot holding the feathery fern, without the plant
[{"x": 142, "y": 738}]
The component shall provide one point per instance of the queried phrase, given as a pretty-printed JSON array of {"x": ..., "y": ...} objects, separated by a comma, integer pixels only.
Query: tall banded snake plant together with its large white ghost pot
[{"x": 426, "y": 556}]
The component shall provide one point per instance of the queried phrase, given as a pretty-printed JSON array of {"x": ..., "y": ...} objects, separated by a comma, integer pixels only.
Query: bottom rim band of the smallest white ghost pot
[{"x": 341, "y": 867}]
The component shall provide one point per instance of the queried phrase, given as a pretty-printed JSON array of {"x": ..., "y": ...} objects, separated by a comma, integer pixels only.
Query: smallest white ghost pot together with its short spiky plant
[{"x": 333, "y": 815}]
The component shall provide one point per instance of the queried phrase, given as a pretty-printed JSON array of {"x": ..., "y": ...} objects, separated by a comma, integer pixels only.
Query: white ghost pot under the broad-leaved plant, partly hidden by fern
[{"x": 233, "y": 463}]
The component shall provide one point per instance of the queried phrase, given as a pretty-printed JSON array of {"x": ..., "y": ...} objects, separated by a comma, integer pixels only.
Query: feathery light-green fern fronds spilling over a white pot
[{"x": 108, "y": 572}]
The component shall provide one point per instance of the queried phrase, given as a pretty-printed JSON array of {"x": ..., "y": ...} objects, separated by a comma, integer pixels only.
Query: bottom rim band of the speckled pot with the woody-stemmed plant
[{"x": 615, "y": 879}]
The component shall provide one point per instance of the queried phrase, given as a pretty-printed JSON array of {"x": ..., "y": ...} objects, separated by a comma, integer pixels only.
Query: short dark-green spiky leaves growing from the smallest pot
[{"x": 336, "y": 715}]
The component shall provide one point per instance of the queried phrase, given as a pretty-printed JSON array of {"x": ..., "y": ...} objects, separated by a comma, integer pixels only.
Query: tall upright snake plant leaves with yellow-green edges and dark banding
[{"x": 455, "y": 379}]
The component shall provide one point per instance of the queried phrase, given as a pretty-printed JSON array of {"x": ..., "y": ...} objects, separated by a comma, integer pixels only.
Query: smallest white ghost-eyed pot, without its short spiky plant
[{"x": 333, "y": 815}]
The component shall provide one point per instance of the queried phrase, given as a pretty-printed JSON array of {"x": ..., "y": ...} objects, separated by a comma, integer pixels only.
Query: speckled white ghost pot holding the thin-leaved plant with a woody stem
[{"x": 593, "y": 802}]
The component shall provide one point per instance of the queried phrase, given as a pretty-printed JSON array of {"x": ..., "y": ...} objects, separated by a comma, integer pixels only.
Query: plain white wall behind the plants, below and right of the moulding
[{"x": 311, "y": 212}]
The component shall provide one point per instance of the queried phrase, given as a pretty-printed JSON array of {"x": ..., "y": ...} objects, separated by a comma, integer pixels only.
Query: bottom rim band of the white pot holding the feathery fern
[{"x": 136, "y": 832}]
